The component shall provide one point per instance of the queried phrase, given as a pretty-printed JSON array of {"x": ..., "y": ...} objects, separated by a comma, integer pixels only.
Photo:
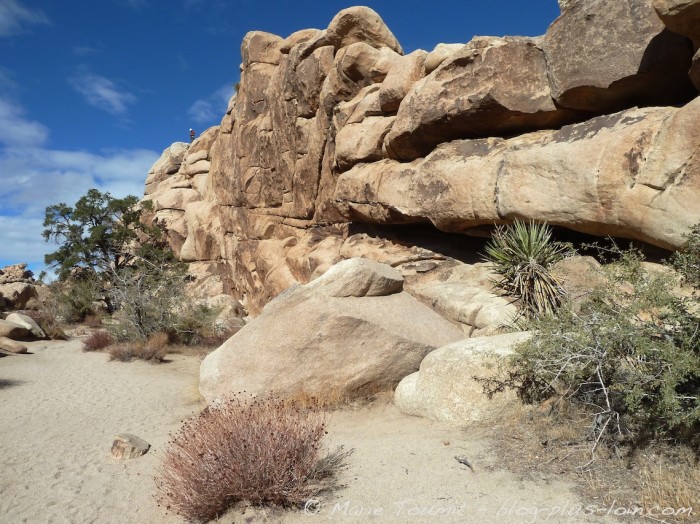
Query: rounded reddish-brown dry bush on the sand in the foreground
[{"x": 260, "y": 451}]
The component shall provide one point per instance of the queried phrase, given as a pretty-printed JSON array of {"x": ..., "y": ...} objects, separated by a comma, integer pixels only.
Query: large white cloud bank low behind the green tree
[{"x": 34, "y": 177}]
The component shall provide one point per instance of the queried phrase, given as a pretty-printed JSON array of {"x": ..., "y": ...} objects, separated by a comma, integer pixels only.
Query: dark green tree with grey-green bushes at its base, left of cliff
[{"x": 118, "y": 273}]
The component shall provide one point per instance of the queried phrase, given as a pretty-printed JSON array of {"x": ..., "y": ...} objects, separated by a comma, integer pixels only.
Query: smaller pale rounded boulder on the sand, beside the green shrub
[{"x": 448, "y": 388}]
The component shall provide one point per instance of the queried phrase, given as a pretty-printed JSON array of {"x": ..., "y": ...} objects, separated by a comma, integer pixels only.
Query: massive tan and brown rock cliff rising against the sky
[{"x": 336, "y": 134}]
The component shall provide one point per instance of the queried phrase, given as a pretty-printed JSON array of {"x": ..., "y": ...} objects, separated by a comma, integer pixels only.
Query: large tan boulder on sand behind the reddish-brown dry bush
[{"x": 349, "y": 332}]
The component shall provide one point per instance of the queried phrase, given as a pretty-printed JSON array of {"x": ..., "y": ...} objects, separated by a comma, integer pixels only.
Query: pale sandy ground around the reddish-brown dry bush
[{"x": 60, "y": 409}]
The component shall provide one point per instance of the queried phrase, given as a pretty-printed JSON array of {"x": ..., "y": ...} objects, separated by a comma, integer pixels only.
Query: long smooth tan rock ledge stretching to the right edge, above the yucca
[{"x": 633, "y": 174}]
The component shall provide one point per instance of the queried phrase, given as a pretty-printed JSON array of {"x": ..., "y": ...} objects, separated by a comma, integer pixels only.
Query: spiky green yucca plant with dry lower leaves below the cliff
[{"x": 522, "y": 254}]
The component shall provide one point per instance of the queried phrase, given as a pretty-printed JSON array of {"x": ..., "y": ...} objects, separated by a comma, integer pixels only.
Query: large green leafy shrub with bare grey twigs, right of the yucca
[{"x": 630, "y": 353}]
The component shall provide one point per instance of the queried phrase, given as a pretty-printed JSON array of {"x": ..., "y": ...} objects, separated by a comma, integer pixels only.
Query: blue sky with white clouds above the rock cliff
[{"x": 91, "y": 93}]
